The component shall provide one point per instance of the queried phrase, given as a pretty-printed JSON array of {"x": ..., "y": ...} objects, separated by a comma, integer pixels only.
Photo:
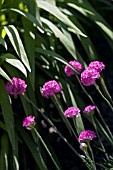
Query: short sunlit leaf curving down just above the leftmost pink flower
[{"x": 11, "y": 59}]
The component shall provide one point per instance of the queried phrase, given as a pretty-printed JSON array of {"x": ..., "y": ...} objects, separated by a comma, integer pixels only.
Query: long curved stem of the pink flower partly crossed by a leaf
[{"x": 98, "y": 111}]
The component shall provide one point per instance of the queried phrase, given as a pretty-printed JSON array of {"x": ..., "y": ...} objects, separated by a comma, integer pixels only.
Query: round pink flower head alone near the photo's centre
[{"x": 50, "y": 88}]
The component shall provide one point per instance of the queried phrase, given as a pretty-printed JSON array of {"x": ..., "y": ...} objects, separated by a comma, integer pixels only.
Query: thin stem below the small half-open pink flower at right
[{"x": 94, "y": 124}]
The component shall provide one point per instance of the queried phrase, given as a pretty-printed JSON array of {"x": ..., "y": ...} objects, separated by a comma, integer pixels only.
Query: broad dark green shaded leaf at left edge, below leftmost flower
[{"x": 7, "y": 113}]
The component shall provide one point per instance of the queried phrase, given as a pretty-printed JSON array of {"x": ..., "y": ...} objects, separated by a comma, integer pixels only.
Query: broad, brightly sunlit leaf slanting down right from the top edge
[{"x": 58, "y": 14}]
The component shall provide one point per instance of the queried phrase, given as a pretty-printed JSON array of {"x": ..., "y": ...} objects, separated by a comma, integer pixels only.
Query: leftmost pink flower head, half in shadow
[{"x": 17, "y": 86}]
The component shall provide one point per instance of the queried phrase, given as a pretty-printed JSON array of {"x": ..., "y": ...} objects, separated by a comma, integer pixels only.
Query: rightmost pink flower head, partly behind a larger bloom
[{"x": 97, "y": 65}]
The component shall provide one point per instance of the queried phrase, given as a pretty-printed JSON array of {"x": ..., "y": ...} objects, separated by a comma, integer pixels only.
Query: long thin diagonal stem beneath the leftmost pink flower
[{"x": 56, "y": 130}]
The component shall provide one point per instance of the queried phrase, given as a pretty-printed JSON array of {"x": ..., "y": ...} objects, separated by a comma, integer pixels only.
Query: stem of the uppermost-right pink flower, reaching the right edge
[{"x": 105, "y": 89}]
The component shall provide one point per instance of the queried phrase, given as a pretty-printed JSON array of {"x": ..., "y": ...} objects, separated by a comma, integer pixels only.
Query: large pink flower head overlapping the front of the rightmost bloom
[{"x": 89, "y": 76}]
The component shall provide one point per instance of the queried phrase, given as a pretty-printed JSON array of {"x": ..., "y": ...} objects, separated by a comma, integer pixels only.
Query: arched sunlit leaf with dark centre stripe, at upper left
[{"x": 17, "y": 44}]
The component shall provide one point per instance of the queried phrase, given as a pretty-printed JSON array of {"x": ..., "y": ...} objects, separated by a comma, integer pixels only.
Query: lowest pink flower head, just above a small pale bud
[{"x": 86, "y": 135}]
